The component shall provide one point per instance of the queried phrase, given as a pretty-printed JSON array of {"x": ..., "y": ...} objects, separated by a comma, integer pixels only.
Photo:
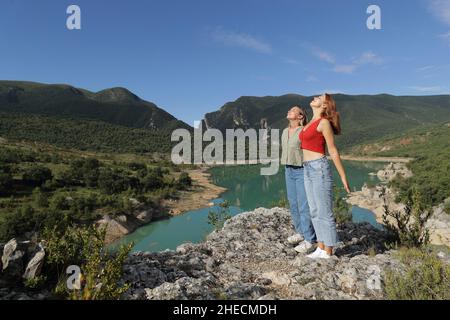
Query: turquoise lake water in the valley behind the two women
[{"x": 247, "y": 190}]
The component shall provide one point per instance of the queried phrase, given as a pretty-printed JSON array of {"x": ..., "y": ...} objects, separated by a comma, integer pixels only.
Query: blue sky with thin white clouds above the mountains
[{"x": 192, "y": 56}]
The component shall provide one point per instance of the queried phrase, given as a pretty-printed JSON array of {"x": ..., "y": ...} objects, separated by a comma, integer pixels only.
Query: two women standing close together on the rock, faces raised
[{"x": 315, "y": 220}]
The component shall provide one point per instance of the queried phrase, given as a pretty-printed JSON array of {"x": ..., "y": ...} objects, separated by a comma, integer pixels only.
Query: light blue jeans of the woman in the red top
[{"x": 319, "y": 191}]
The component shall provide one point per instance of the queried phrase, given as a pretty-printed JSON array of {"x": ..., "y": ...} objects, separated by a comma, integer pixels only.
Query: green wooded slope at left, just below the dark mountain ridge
[{"x": 83, "y": 134}]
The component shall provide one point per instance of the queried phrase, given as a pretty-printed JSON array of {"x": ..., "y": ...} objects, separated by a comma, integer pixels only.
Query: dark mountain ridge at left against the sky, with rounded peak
[{"x": 115, "y": 105}]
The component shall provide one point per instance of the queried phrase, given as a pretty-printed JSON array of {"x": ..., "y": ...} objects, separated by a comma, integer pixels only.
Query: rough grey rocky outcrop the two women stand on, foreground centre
[{"x": 250, "y": 259}]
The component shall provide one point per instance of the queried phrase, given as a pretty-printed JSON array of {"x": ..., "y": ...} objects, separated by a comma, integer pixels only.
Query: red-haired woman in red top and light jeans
[{"x": 318, "y": 181}]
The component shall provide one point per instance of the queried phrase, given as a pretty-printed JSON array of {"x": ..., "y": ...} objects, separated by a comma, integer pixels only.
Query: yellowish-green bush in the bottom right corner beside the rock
[{"x": 426, "y": 277}]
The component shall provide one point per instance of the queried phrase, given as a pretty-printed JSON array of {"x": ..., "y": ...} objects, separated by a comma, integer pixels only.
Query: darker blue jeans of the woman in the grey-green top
[{"x": 298, "y": 203}]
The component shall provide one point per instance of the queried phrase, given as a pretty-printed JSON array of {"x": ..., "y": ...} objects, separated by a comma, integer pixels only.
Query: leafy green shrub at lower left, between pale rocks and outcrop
[{"x": 84, "y": 247}]
